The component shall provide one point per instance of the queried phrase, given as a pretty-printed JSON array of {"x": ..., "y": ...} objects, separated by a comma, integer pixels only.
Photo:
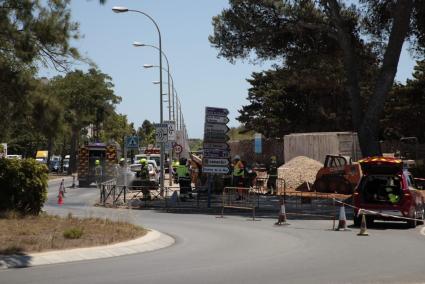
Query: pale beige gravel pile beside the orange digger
[{"x": 299, "y": 170}]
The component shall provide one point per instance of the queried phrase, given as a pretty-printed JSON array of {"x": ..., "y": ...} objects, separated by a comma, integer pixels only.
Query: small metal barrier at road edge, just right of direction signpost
[{"x": 239, "y": 198}]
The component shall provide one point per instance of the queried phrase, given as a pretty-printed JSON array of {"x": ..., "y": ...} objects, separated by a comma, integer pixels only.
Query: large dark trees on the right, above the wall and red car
[{"x": 335, "y": 65}]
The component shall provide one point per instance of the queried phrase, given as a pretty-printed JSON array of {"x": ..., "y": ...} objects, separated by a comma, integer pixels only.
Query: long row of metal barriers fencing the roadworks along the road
[{"x": 254, "y": 201}]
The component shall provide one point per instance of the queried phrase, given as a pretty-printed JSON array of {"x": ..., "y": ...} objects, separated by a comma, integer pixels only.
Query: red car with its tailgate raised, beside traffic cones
[{"x": 387, "y": 188}]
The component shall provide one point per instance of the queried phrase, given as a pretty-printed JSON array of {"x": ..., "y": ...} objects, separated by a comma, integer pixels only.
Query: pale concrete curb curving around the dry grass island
[{"x": 153, "y": 240}]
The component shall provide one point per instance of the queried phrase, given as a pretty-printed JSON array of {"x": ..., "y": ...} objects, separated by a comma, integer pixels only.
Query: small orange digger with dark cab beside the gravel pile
[{"x": 338, "y": 175}]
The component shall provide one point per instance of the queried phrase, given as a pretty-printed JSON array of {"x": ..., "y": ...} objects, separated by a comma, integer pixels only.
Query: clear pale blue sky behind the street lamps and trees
[{"x": 201, "y": 79}]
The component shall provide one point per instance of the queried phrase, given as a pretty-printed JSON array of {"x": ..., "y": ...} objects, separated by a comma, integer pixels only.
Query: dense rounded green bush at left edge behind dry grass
[{"x": 23, "y": 186}]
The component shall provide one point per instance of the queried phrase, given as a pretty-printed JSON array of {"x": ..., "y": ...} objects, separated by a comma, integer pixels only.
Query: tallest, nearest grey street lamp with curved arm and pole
[{"x": 121, "y": 9}]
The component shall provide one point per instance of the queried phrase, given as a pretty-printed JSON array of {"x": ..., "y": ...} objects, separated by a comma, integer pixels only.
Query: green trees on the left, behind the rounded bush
[{"x": 53, "y": 114}]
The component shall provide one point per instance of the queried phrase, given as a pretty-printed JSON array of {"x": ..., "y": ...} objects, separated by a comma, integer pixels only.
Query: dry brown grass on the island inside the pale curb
[{"x": 20, "y": 235}]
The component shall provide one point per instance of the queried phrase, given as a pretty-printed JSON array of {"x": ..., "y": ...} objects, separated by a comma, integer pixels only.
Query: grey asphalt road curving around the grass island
[{"x": 237, "y": 250}]
